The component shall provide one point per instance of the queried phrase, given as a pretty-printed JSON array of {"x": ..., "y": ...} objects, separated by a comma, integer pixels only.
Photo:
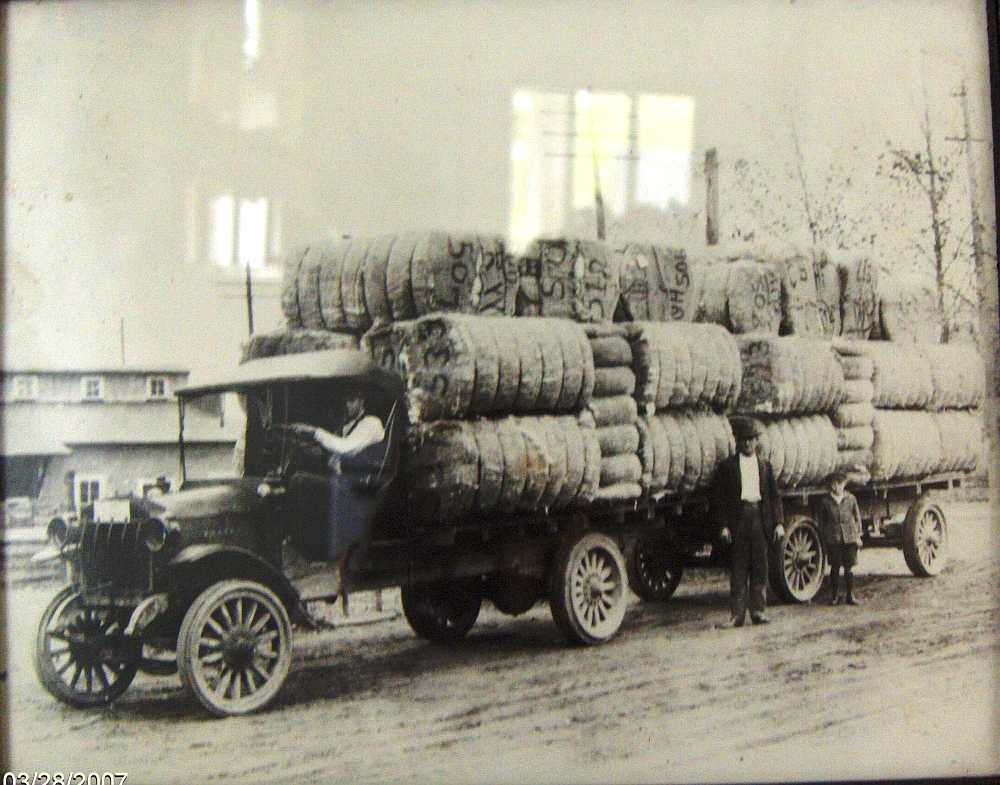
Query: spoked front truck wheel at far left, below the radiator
[{"x": 81, "y": 656}]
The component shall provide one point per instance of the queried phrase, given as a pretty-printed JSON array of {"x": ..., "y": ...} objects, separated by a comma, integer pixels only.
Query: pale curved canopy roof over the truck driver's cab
[{"x": 330, "y": 364}]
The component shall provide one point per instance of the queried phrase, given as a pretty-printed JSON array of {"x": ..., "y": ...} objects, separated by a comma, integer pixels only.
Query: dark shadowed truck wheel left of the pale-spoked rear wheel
[{"x": 442, "y": 612}]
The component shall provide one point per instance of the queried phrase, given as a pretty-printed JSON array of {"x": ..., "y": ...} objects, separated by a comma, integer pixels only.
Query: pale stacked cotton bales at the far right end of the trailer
[{"x": 925, "y": 398}]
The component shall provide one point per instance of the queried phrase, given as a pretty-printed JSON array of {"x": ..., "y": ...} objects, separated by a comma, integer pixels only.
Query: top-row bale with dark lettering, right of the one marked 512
[{"x": 658, "y": 284}]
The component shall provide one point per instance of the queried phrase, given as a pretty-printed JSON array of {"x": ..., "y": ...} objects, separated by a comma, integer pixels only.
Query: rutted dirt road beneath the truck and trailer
[{"x": 906, "y": 685}]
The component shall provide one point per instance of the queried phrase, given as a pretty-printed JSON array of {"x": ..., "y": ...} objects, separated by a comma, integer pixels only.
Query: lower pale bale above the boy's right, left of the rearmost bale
[{"x": 907, "y": 445}]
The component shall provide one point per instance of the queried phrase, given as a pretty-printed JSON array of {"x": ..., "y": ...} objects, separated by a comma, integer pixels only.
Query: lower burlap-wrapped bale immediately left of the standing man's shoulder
[{"x": 680, "y": 451}]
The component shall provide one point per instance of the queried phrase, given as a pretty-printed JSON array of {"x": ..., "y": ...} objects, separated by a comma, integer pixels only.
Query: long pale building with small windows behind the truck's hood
[{"x": 72, "y": 436}]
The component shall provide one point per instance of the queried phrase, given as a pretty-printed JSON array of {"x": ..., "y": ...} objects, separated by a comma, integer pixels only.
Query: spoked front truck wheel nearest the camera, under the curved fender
[{"x": 235, "y": 647}]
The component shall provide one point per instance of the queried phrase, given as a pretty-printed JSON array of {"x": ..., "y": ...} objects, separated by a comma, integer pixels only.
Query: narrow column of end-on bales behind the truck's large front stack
[{"x": 614, "y": 413}]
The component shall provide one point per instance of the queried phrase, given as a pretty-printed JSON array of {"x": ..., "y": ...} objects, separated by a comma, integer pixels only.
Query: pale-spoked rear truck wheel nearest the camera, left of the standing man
[{"x": 588, "y": 588}]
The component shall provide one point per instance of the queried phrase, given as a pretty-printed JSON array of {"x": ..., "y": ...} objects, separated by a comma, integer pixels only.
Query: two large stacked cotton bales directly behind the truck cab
[{"x": 497, "y": 413}]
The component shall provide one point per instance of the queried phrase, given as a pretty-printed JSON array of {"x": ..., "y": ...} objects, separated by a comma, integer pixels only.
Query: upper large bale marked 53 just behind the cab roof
[{"x": 455, "y": 366}]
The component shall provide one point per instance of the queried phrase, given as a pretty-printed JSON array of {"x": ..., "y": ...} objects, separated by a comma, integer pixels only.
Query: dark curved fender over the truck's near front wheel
[{"x": 201, "y": 565}]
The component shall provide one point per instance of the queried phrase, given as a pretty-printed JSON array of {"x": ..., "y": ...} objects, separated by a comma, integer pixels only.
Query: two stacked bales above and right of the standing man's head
[{"x": 791, "y": 386}]
